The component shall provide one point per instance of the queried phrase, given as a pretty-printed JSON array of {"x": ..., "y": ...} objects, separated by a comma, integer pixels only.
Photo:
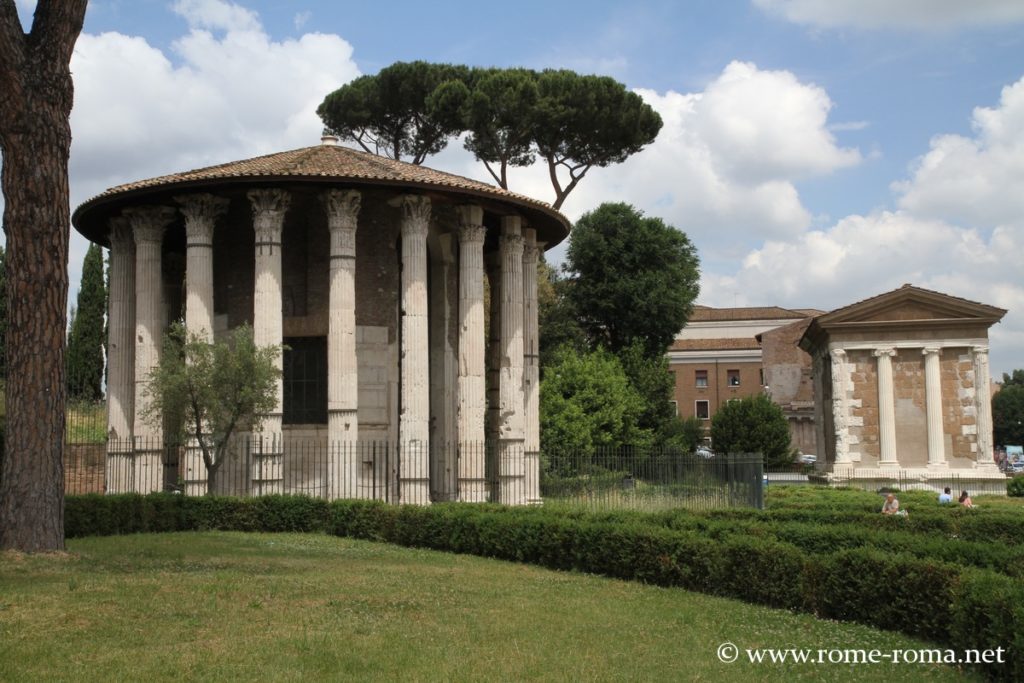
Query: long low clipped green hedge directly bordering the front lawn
[{"x": 960, "y": 609}]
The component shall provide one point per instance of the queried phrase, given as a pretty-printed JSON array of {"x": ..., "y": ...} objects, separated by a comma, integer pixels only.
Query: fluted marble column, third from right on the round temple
[{"x": 473, "y": 386}]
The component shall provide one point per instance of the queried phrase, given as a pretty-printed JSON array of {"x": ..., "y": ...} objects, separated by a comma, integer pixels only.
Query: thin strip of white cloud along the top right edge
[{"x": 919, "y": 15}]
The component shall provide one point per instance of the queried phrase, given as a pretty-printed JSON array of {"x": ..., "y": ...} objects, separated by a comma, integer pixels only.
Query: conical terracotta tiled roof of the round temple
[{"x": 324, "y": 164}]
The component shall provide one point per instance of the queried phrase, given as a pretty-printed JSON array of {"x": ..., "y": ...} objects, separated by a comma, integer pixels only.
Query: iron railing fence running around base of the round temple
[{"x": 418, "y": 474}]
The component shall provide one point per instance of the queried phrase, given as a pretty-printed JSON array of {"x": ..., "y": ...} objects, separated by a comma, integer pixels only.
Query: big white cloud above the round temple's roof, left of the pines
[{"x": 226, "y": 92}]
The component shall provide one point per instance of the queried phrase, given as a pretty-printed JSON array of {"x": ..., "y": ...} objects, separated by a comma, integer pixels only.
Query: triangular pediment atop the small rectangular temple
[{"x": 912, "y": 305}]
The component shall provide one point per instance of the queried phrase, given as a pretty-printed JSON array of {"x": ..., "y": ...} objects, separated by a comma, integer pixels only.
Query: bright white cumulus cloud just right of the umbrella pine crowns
[{"x": 723, "y": 167}]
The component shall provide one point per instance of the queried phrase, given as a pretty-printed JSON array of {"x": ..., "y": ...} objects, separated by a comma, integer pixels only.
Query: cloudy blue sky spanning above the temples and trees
[{"x": 817, "y": 152}]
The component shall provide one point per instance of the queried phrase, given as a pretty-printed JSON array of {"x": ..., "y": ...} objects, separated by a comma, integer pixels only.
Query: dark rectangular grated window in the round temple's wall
[{"x": 306, "y": 381}]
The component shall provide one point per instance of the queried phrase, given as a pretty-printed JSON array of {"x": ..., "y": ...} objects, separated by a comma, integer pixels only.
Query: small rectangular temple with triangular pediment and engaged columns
[{"x": 902, "y": 382}]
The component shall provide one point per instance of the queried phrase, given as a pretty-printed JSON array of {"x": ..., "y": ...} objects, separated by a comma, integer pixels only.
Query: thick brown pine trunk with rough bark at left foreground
[{"x": 36, "y": 96}]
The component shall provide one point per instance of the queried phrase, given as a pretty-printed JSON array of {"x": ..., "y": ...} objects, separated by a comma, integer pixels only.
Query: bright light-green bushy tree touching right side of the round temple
[{"x": 587, "y": 404}]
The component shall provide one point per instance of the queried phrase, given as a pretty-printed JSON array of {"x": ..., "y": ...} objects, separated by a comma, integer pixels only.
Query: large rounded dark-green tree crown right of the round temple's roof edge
[{"x": 633, "y": 279}]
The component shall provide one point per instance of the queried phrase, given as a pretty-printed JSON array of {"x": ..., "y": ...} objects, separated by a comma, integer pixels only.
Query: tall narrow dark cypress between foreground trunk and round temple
[{"x": 87, "y": 334}]
